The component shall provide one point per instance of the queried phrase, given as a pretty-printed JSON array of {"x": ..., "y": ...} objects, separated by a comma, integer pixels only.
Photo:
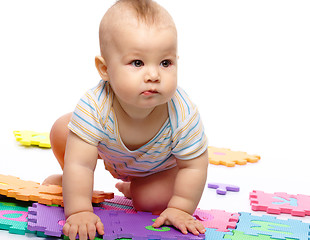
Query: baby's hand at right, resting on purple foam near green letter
[{"x": 181, "y": 220}]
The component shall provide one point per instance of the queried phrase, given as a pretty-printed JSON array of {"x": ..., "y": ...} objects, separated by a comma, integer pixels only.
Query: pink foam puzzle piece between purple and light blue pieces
[{"x": 218, "y": 219}]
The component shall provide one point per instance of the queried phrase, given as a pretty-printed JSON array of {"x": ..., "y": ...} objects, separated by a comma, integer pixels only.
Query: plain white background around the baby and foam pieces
[{"x": 246, "y": 64}]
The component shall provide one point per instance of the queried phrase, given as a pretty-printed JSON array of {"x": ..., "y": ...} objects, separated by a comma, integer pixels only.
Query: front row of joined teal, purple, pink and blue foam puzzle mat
[{"x": 120, "y": 224}]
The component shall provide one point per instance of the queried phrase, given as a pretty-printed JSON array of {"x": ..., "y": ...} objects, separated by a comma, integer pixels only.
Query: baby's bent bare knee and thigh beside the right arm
[{"x": 152, "y": 193}]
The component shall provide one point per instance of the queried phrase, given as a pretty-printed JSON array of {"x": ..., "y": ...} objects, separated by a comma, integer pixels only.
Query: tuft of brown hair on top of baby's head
[{"x": 147, "y": 11}]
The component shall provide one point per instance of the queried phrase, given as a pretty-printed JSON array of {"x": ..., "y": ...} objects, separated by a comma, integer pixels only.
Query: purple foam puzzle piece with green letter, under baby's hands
[{"x": 118, "y": 224}]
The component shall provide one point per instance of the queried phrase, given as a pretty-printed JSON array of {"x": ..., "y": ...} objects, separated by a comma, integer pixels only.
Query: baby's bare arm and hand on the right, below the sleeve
[{"x": 189, "y": 185}]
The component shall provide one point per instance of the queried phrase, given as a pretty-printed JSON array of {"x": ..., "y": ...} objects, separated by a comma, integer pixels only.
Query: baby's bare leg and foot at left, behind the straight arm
[{"x": 58, "y": 137}]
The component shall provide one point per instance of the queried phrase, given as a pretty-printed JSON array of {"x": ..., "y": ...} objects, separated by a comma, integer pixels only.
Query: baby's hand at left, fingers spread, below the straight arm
[{"x": 83, "y": 223}]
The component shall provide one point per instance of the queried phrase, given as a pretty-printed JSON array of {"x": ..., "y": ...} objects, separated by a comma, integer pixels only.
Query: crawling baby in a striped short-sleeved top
[{"x": 137, "y": 120}]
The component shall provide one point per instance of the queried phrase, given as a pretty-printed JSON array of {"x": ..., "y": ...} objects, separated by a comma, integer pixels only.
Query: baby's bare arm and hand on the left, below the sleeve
[{"x": 78, "y": 175}]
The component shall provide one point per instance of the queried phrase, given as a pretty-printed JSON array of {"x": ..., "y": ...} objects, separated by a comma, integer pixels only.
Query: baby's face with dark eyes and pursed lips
[{"x": 142, "y": 63}]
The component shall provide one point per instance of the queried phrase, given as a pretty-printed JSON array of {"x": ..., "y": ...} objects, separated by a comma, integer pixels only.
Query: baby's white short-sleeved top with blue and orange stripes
[{"x": 181, "y": 136}]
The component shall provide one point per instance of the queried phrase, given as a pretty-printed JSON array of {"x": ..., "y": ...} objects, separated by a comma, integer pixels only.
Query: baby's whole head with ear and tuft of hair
[{"x": 138, "y": 44}]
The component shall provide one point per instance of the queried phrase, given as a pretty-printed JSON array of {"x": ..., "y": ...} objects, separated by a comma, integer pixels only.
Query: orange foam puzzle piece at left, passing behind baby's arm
[{"x": 45, "y": 194}]
